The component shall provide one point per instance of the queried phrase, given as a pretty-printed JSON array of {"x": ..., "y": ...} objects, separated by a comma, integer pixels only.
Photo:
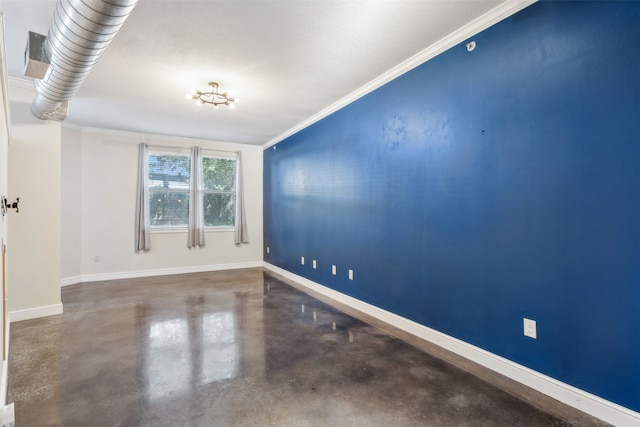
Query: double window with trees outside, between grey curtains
[{"x": 169, "y": 190}]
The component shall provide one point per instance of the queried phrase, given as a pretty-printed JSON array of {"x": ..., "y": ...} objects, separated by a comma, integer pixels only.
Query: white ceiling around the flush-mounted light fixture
[{"x": 285, "y": 60}]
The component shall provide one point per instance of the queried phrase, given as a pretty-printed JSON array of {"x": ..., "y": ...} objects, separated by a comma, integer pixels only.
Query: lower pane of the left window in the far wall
[{"x": 169, "y": 208}]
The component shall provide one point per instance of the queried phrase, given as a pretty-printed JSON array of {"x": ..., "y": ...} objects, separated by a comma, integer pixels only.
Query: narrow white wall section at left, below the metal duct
[{"x": 33, "y": 249}]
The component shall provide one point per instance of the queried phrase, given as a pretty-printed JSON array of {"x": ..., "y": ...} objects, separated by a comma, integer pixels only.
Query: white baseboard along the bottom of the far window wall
[{"x": 157, "y": 272}]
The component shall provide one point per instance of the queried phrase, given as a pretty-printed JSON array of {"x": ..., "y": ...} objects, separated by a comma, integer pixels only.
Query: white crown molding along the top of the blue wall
[{"x": 479, "y": 24}]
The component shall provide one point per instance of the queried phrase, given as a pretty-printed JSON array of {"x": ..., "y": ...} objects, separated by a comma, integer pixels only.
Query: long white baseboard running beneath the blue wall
[{"x": 565, "y": 393}]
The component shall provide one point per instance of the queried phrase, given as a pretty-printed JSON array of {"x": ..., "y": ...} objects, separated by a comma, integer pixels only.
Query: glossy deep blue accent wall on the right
[{"x": 484, "y": 187}]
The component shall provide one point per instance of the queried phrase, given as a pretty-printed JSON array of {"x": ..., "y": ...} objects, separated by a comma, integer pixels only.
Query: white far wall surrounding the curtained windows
[{"x": 100, "y": 177}]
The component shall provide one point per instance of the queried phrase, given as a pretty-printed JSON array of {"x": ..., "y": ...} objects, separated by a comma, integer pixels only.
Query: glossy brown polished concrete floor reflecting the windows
[{"x": 238, "y": 348}]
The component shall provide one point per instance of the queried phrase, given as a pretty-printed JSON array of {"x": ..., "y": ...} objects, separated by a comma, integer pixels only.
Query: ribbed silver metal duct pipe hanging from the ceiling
[{"x": 80, "y": 33}]
